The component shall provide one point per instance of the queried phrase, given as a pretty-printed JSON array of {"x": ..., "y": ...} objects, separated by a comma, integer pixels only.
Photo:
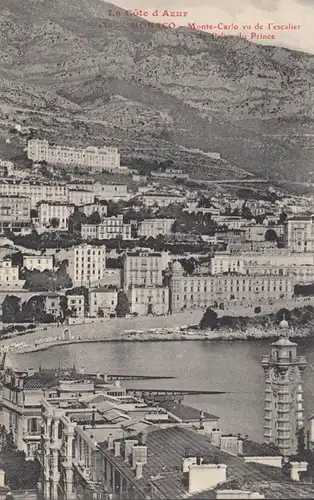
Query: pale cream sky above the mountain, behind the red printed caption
[{"x": 299, "y": 13}]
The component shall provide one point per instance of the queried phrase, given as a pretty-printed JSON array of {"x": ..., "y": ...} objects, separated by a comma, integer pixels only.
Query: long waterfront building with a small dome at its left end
[{"x": 200, "y": 291}]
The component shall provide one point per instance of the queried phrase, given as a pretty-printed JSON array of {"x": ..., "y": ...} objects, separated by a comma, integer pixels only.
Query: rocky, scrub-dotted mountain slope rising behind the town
[{"x": 156, "y": 92}]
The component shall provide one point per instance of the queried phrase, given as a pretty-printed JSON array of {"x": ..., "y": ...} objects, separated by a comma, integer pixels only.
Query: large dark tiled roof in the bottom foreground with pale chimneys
[{"x": 166, "y": 450}]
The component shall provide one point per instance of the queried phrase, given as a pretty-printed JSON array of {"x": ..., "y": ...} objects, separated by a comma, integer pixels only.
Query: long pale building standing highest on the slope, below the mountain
[{"x": 105, "y": 158}]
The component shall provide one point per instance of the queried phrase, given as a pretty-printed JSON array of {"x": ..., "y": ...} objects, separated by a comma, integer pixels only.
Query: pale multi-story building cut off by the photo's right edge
[{"x": 299, "y": 233}]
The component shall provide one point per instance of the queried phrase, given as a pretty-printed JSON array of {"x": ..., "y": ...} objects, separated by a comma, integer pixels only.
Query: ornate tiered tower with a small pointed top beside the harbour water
[{"x": 283, "y": 393}]
